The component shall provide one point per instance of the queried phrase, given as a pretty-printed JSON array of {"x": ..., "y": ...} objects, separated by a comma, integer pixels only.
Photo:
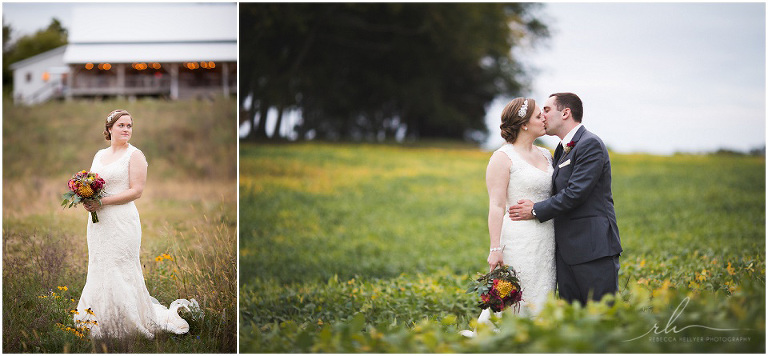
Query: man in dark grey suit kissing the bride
[{"x": 586, "y": 235}]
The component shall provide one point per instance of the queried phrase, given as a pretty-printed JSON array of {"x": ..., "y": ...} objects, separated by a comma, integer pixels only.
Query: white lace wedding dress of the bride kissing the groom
[{"x": 529, "y": 245}]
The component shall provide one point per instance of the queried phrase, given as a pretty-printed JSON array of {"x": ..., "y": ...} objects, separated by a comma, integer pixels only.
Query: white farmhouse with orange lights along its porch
[{"x": 173, "y": 51}]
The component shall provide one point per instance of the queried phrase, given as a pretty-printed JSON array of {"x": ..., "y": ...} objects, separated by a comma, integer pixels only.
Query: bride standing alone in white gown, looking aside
[{"x": 115, "y": 301}]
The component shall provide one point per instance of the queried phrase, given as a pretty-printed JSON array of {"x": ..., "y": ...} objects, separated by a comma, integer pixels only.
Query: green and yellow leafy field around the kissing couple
[{"x": 369, "y": 248}]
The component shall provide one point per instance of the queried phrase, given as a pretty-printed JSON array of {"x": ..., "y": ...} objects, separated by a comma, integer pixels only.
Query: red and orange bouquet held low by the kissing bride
[{"x": 498, "y": 289}]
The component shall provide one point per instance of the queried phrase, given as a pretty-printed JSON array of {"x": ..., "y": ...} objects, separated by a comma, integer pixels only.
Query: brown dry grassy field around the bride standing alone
[{"x": 188, "y": 211}]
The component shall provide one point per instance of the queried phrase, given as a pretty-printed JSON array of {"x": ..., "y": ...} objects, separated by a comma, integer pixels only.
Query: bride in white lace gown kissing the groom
[{"x": 519, "y": 170}]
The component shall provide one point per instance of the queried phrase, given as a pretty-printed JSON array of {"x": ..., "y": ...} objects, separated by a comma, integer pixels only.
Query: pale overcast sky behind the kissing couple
[{"x": 656, "y": 77}]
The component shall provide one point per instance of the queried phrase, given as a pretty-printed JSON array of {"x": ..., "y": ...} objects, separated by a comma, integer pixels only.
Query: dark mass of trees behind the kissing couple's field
[{"x": 359, "y": 71}]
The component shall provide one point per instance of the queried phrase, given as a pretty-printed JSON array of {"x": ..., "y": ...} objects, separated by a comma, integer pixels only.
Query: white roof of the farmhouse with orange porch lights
[{"x": 168, "y": 33}]
